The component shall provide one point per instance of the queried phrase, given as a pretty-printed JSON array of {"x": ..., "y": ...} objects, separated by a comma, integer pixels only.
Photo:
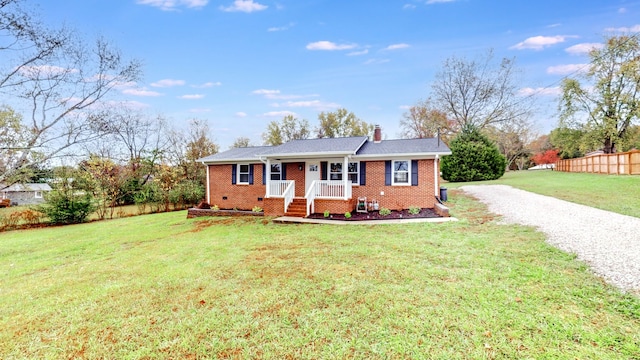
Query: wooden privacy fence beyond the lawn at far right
[{"x": 626, "y": 163}]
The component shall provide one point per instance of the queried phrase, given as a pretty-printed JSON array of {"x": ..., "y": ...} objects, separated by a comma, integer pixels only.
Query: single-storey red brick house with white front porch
[{"x": 308, "y": 176}]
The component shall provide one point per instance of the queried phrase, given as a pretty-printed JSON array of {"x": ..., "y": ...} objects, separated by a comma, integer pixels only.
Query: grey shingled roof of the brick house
[{"x": 356, "y": 147}]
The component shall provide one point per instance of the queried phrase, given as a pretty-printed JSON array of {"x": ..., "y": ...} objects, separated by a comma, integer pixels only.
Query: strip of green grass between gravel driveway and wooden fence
[{"x": 617, "y": 193}]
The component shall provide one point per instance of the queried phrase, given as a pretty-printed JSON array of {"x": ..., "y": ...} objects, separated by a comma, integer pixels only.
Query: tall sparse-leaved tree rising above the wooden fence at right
[{"x": 605, "y": 101}]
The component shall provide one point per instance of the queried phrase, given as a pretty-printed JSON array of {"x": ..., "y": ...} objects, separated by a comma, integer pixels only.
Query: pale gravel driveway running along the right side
[{"x": 608, "y": 242}]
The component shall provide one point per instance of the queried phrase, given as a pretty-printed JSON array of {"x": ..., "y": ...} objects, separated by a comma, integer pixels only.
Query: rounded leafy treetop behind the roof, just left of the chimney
[{"x": 342, "y": 123}]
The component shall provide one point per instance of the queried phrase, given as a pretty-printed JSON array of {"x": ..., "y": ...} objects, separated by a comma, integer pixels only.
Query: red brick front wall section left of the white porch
[{"x": 242, "y": 197}]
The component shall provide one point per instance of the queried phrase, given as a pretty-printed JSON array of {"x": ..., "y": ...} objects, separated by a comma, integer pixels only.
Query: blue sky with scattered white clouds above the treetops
[{"x": 240, "y": 64}]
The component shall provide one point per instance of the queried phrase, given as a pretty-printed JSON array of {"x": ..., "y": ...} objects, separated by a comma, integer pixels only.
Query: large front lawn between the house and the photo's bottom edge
[{"x": 162, "y": 286}]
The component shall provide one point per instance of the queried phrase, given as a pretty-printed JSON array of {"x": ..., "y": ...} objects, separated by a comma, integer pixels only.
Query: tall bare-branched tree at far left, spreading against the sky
[{"x": 59, "y": 83}]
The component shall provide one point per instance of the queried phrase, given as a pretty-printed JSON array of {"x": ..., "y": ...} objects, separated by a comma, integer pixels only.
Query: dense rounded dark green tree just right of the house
[{"x": 474, "y": 157}]
